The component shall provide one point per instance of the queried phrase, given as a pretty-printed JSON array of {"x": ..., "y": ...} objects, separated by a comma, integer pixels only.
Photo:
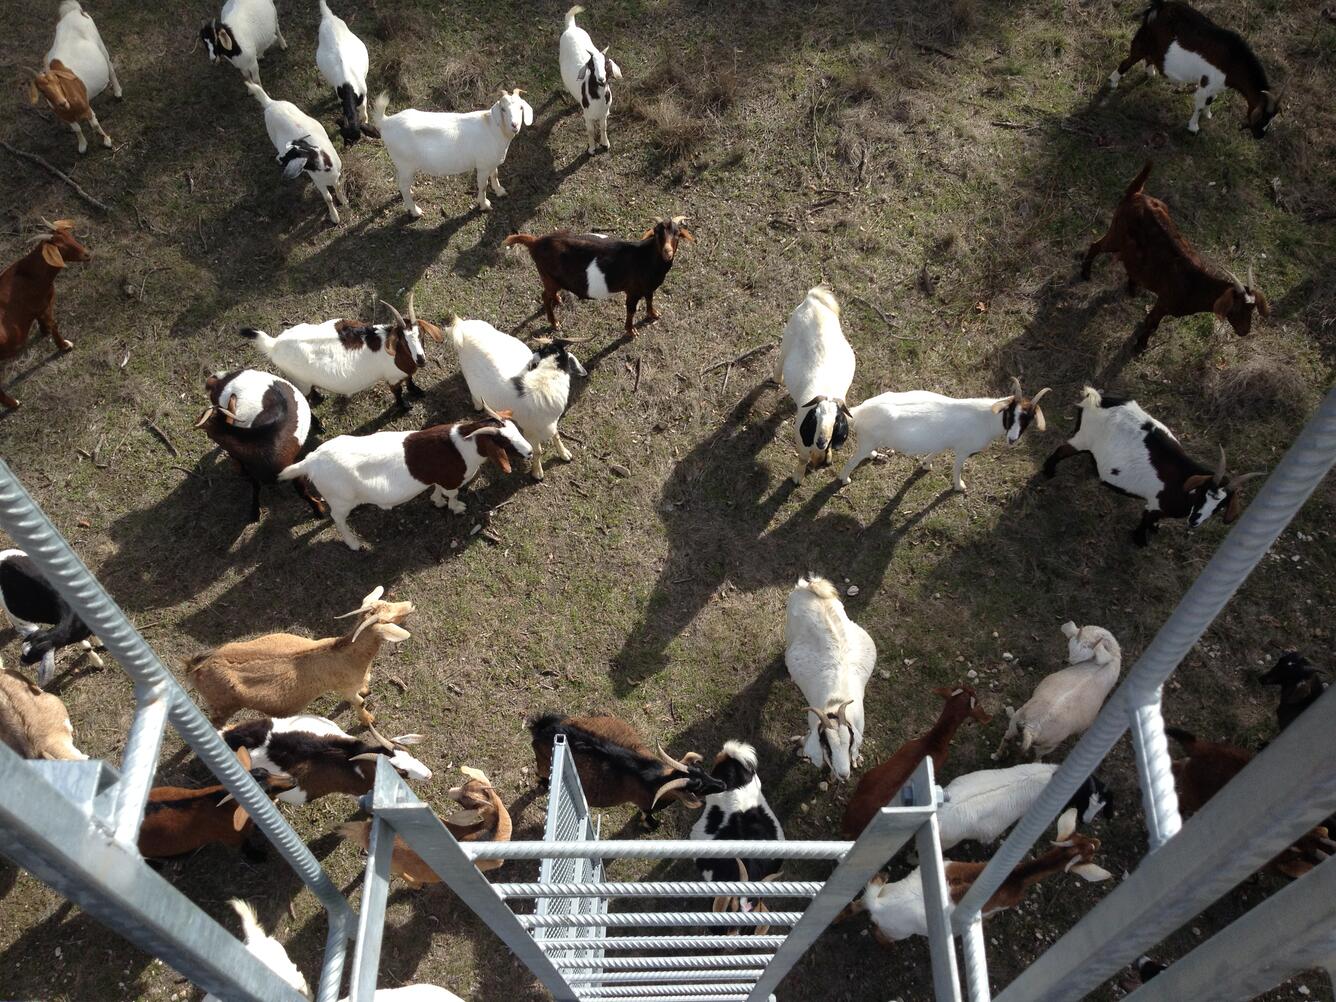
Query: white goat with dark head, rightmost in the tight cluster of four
[{"x": 532, "y": 385}]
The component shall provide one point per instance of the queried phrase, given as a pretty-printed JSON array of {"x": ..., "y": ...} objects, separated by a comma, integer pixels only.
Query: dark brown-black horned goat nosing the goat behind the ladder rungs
[{"x": 618, "y": 769}]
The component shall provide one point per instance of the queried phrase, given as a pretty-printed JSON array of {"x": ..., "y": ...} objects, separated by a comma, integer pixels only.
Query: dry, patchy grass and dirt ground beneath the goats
[{"x": 941, "y": 166}]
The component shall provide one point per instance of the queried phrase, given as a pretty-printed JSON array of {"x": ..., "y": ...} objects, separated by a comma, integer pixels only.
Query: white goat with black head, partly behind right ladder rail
[{"x": 981, "y": 806}]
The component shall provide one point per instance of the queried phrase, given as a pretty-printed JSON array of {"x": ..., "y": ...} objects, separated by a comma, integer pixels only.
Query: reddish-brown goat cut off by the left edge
[{"x": 29, "y": 293}]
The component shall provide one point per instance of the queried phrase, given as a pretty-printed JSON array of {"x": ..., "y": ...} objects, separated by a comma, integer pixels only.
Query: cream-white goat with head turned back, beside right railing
[{"x": 1068, "y": 702}]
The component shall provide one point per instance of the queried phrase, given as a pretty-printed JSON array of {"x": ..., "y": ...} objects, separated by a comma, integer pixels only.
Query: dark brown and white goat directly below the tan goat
[{"x": 320, "y": 758}]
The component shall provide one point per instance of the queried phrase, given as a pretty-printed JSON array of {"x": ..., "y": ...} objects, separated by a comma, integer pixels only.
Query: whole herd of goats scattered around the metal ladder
[{"x": 264, "y": 422}]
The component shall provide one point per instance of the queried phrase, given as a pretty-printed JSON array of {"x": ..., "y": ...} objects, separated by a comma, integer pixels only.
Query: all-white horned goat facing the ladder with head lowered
[{"x": 830, "y": 658}]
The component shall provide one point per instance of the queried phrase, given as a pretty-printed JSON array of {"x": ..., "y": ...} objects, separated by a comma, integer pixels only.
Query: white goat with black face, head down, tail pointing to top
[{"x": 817, "y": 365}]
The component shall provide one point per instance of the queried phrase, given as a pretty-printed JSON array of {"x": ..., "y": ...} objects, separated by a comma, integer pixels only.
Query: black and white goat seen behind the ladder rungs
[{"x": 739, "y": 813}]
